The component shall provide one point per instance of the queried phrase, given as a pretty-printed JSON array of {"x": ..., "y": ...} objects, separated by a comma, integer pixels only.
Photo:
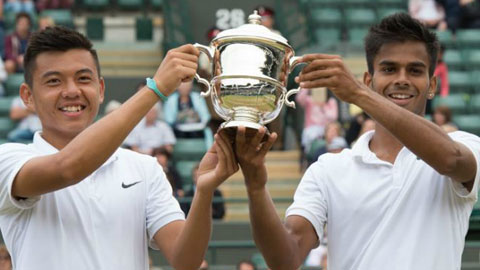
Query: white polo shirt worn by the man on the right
[{"x": 387, "y": 216}]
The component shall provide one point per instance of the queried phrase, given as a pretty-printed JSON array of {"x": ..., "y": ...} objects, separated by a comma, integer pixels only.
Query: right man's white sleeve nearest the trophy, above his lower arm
[{"x": 310, "y": 201}]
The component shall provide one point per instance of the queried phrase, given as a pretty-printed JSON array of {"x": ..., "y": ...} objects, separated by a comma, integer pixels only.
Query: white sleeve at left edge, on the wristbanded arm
[{"x": 12, "y": 158}]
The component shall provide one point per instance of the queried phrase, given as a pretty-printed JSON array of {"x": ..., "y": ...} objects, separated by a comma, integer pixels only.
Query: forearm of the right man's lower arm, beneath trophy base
[{"x": 271, "y": 237}]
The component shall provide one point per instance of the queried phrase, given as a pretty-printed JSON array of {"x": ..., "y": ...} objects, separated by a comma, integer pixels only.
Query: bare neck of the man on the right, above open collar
[{"x": 385, "y": 146}]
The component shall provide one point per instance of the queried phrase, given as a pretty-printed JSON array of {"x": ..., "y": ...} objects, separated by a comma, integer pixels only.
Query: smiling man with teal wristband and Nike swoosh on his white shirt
[{"x": 74, "y": 193}]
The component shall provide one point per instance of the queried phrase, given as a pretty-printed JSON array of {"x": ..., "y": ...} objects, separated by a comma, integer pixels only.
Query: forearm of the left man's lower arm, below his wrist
[{"x": 191, "y": 245}]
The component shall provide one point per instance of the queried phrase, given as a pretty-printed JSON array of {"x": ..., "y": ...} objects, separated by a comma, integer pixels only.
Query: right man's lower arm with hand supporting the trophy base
[{"x": 283, "y": 246}]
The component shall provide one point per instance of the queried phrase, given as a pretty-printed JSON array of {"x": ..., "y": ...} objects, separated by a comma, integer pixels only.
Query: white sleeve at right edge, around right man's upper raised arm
[{"x": 472, "y": 142}]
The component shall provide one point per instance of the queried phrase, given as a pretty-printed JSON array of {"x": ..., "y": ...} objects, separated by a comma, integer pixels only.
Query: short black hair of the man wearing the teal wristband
[{"x": 55, "y": 39}]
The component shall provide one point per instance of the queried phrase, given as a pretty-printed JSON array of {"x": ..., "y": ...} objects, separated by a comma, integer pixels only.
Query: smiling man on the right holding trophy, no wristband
[{"x": 402, "y": 196}]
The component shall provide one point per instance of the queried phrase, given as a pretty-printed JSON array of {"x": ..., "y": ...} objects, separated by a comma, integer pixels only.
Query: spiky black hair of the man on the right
[{"x": 400, "y": 27}]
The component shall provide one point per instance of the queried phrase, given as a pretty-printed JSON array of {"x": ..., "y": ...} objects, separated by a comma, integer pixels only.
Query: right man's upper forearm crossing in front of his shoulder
[{"x": 425, "y": 139}]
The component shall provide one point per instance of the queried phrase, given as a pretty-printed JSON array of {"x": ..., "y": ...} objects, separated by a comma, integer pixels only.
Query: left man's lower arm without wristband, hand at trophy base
[{"x": 185, "y": 243}]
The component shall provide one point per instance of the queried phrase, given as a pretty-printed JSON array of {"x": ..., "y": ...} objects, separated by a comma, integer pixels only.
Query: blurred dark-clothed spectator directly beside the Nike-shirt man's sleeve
[{"x": 163, "y": 157}]
